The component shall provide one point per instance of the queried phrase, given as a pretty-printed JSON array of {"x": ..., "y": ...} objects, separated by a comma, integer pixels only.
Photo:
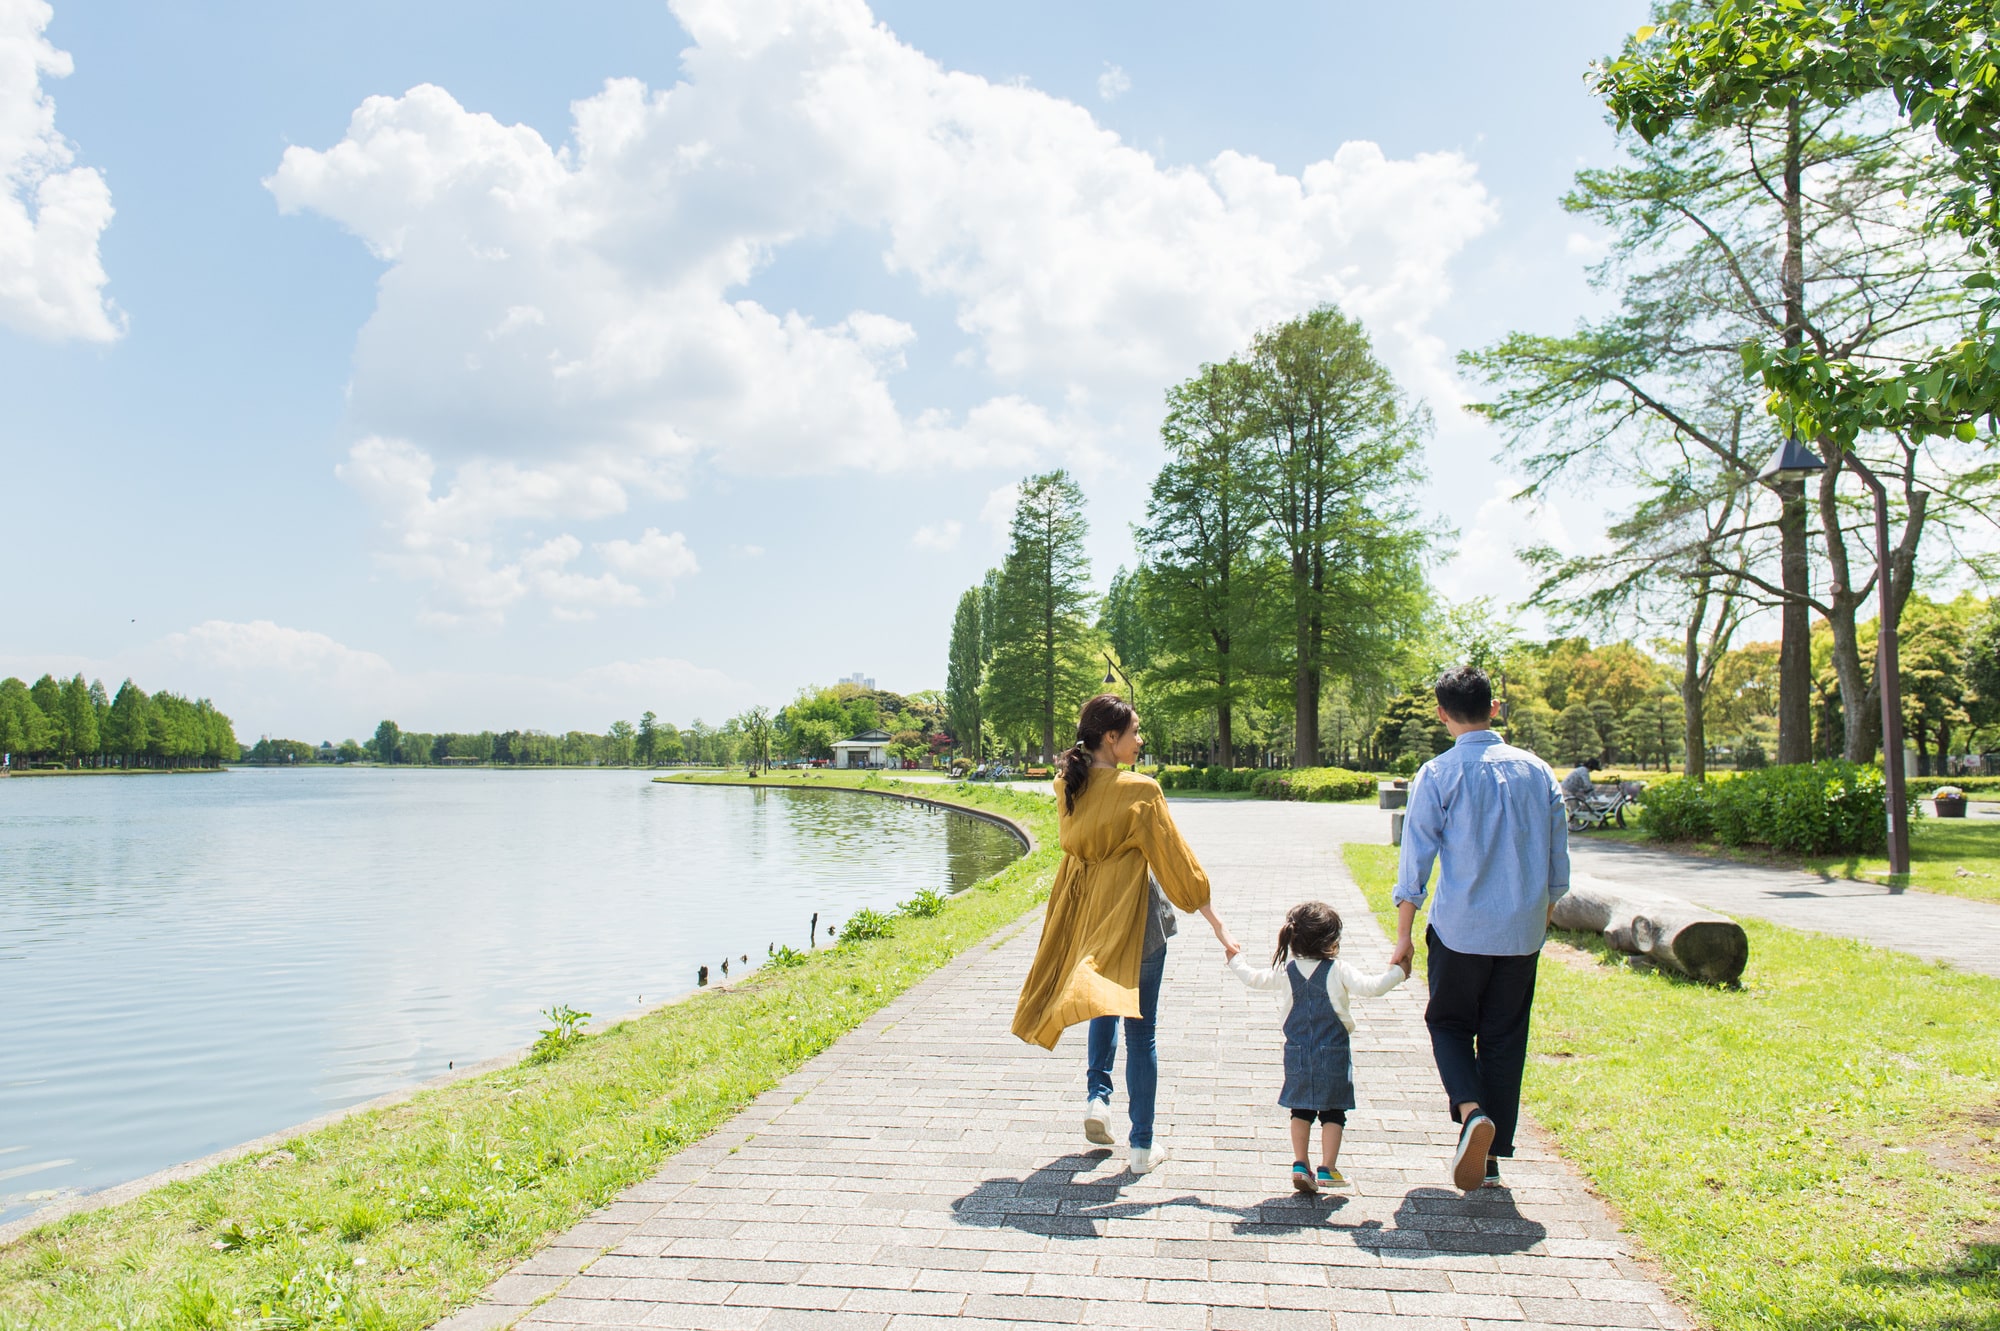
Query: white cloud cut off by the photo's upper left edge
[{"x": 51, "y": 213}]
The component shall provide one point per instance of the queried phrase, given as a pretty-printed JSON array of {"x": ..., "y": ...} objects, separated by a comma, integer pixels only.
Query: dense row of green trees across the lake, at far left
[{"x": 81, "y": 726}]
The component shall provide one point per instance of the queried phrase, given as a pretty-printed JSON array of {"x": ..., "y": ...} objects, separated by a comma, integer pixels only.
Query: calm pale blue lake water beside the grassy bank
[{"x": 193, "y": 962}]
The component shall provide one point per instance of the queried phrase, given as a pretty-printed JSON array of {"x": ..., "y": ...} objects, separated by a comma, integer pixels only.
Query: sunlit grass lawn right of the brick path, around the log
[{"x": 1815, "y": 1150}]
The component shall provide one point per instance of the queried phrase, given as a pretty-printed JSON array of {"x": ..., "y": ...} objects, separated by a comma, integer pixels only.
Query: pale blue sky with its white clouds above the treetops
[{"x": 423, "y": 373}]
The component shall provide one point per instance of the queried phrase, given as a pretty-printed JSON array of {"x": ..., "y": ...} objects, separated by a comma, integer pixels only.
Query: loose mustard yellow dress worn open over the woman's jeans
[{"x": 1087, "y": 964}]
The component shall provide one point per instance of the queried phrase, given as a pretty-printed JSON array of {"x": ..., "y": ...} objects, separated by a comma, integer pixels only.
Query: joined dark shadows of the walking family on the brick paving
[{"x": 1431, "y": 1220}]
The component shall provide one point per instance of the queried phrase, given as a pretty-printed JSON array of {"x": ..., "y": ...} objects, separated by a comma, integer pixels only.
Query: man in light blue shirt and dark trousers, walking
[{"x": 1493, "y": 816}]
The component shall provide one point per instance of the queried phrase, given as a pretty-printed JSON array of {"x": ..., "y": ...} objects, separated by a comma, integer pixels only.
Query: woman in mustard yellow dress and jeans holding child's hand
[{"x": 1103, "y": 950}]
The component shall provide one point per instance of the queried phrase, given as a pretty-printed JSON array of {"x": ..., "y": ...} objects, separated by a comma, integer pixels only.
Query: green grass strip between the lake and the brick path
[{"x": 397, "y": 1216}]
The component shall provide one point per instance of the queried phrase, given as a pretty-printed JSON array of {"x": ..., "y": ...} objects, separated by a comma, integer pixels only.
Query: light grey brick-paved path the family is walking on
[{"x": 931, "y": 1170}]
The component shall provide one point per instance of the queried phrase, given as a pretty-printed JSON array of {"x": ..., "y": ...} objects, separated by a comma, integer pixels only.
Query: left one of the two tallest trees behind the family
[{"x": 1203, "y": 543}]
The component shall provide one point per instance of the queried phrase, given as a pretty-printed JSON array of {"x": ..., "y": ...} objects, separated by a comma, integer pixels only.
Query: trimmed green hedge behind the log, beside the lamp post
[{"x": 1803, "y": 808}]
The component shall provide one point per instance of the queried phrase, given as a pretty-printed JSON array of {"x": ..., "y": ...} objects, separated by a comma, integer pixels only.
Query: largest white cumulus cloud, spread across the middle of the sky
[{"x": 571, "y": 327}]
